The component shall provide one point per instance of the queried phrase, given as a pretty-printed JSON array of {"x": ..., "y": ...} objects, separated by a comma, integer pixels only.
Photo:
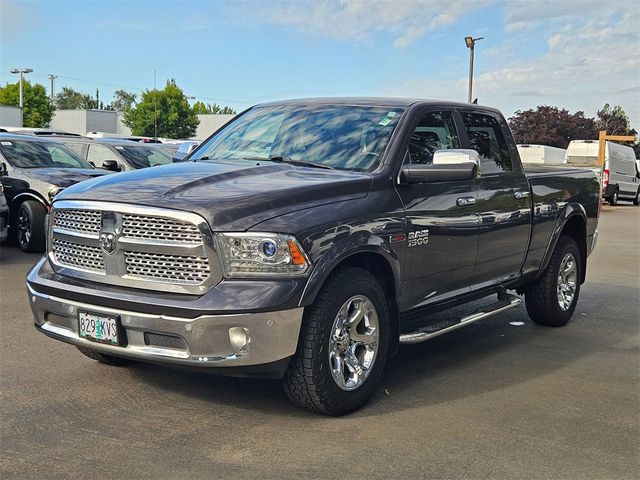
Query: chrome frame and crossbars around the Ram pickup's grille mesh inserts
[{"x": 115, "y": 270}]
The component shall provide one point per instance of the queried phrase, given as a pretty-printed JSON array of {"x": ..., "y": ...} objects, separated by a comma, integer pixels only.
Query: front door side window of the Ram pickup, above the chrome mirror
[{"x": 436, "y": 131}]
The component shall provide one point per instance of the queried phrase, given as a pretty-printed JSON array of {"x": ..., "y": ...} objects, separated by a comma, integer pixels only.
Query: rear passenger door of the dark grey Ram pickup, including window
[{"x": 503, "y": 200}]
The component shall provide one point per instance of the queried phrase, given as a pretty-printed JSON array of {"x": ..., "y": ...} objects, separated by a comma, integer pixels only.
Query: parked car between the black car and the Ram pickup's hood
[{"x": 117, "y": 155}]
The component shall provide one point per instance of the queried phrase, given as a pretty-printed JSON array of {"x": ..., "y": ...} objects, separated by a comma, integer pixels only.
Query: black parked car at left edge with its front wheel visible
[{"x": 33, "y": 171}]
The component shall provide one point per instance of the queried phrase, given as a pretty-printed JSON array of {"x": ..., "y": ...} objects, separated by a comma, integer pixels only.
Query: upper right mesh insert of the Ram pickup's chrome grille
[{"x": 159, "y": 228}]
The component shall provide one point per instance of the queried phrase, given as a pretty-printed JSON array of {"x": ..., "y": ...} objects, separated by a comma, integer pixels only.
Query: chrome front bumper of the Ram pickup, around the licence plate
[{"x": 203, "y": 341}]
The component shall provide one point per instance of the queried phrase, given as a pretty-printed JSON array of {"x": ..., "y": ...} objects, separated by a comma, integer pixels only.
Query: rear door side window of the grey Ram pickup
[{"x": 485, "y": 137}]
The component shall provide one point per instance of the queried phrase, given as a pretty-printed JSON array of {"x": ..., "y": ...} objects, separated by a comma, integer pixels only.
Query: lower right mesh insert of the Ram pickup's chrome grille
[{"x": 168, "y": 268}]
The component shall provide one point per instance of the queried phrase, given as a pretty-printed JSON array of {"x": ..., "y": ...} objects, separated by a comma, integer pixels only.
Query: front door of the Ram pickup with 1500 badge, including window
[{"x": 441, "y": 220}]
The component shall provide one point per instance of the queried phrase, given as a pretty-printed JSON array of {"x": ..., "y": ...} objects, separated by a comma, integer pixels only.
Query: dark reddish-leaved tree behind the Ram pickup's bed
[{"x": 551, "y": 126}]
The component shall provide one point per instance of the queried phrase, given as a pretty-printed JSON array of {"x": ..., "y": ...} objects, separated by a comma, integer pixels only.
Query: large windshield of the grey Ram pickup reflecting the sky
[{"x": 343, "y": 137}]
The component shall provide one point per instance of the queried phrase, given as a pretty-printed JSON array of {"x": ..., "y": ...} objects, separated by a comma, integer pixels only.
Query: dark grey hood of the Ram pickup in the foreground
[{"x": 229, "y": 194}]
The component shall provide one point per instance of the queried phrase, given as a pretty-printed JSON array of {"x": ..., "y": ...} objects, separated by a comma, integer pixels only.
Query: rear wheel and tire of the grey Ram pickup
[{"x": 542, "y": 297}]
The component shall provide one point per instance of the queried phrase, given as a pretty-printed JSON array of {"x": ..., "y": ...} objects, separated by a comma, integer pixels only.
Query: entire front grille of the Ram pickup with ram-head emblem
[{"x": 139, "y": 247}]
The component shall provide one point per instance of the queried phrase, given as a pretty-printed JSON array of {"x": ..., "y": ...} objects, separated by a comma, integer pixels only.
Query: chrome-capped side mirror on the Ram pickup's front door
[{"x": 447, "y": 166}]
